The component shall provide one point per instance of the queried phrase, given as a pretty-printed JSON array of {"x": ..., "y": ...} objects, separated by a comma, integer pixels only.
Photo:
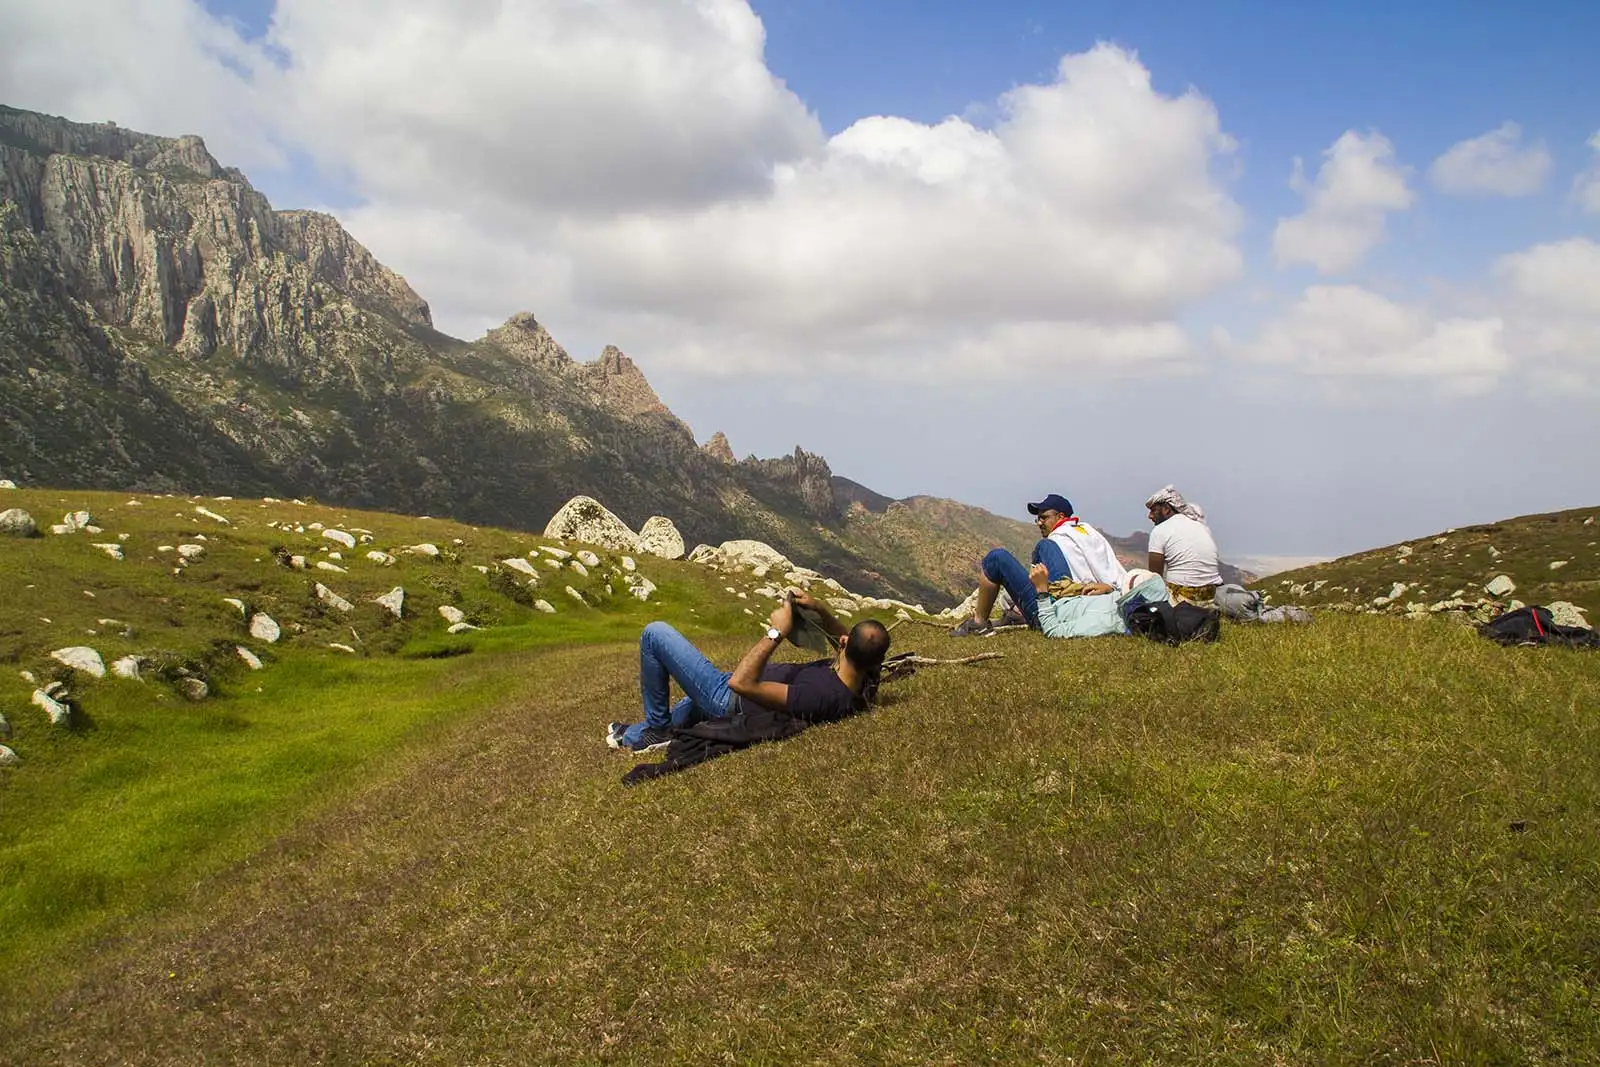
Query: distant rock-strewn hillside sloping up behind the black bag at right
[{"x": 1550, "y": 557}]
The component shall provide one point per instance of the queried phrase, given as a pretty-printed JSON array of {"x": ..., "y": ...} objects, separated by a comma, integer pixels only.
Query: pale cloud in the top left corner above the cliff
[{"x": 158, "y": 66}]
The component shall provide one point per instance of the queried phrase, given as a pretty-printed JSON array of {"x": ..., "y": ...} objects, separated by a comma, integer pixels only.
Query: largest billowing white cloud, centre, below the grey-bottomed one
[{"x": 1070, "y": 234}]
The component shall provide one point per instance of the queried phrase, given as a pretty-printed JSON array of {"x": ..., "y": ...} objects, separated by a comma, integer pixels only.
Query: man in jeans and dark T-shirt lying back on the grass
[{"x": 756, "y": 701}]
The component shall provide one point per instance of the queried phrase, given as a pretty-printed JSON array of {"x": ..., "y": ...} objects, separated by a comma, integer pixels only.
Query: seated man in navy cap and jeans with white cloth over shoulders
[{"x": 1068, "y": 549}]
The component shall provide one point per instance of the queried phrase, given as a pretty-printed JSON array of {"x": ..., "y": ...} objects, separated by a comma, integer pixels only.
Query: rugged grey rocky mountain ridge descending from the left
[{"x": 162, "y": 327}]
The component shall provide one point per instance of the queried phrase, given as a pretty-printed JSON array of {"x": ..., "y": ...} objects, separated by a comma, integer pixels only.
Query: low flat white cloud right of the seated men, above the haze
[{"x": 1346, "y": 332}]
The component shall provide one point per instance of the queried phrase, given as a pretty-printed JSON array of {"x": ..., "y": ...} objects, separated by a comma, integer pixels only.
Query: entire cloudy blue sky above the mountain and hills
[{"x": 1414, "y": 356}]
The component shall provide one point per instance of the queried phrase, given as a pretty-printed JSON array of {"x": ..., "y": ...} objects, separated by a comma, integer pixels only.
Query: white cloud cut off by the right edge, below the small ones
[{"x": 1554, "y": 318}]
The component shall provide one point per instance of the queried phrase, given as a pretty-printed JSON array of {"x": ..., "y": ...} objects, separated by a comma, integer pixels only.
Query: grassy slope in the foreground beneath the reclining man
[{"x": 1356, "y": 842}]
